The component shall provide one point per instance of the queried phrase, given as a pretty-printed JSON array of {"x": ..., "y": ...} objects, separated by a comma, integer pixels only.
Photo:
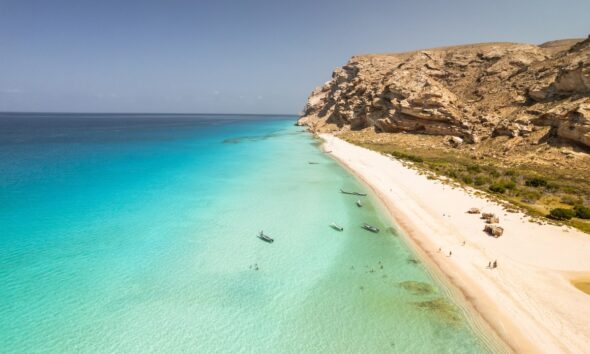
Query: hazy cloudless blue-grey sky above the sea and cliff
[{"x": 233, "y": 56}]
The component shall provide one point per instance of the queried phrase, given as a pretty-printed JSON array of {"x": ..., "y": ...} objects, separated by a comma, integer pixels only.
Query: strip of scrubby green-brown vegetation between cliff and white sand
[{"x": 542, "y": 190}]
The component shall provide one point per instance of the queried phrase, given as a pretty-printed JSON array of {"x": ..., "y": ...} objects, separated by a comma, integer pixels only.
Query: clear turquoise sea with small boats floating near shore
[{"x": 131, "y": 233}]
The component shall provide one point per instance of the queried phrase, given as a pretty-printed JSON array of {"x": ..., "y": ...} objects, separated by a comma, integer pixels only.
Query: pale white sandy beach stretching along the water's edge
[{"x": 528, "y": 300}]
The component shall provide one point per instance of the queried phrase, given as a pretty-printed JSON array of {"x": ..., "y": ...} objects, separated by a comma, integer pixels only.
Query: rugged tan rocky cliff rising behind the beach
[{"x": 473, "y": 92}]
